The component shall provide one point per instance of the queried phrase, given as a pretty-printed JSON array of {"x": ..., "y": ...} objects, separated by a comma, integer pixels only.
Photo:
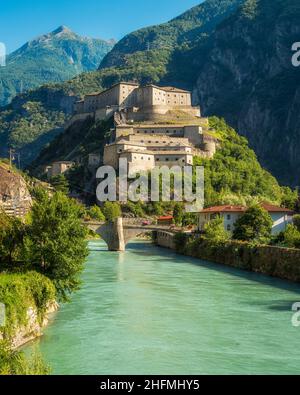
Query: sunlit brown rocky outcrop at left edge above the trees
[{"x": 14, "y": 195}]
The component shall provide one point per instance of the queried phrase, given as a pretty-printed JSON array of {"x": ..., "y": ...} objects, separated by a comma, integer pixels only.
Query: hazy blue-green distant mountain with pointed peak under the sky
[{"x": 53, "y": 57}]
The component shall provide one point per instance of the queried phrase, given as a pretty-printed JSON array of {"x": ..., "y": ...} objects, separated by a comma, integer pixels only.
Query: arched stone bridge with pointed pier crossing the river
[{"x": 119, "y": 233}]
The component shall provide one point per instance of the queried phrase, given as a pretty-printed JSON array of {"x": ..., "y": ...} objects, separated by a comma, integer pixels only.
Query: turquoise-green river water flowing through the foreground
[{"x": 150, "y": 311}]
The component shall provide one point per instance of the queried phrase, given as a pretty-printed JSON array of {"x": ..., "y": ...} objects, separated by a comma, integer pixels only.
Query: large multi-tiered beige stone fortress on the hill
[{"x": 153, "y": 125}]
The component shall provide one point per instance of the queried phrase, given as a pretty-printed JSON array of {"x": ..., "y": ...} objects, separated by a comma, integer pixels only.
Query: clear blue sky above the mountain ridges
[{"x": 22, "y": 20}]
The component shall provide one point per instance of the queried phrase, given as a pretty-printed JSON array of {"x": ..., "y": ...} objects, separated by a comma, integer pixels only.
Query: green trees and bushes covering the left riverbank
[{"x": 41, "y": 259}]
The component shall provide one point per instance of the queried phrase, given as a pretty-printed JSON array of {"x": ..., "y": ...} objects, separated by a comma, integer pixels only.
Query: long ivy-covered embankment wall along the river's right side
[{"x": 283, "y": 263}]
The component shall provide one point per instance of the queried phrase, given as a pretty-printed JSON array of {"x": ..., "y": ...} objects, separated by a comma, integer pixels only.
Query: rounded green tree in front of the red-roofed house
[{"x": 255, "y": 225}]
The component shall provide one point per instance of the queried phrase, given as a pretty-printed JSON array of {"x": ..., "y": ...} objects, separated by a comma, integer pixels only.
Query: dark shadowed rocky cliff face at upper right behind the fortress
[{"x": 248, "y": 78}]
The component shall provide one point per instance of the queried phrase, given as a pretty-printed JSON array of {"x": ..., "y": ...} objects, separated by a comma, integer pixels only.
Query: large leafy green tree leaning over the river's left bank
[{"x": 55, "y": 243}]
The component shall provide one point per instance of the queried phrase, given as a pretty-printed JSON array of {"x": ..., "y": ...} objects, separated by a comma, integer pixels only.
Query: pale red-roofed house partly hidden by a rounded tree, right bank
[{"x": 281, "y": 216}]
